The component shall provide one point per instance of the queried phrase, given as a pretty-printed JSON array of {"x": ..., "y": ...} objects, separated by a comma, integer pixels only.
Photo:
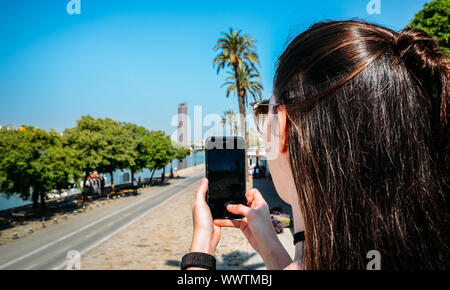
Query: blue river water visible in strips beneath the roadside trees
[{"x": 196, "y": 158}]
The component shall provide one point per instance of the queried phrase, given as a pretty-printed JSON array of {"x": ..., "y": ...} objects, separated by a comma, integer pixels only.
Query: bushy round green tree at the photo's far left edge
[{"x": 34, "y": 162}]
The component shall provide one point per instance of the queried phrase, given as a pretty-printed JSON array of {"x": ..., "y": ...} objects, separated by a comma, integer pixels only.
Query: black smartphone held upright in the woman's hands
[{"x": 225, "y": 170}]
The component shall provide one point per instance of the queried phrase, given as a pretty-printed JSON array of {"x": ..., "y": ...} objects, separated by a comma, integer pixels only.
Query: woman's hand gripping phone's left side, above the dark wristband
[{"x": 206, "y": 233}]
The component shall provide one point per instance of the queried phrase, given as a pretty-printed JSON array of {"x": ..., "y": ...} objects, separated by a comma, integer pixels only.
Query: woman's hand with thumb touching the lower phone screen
[{"x": 256, "y": 224}]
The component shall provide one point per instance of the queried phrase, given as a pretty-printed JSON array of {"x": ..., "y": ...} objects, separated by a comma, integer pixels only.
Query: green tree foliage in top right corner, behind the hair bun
[{"x": 433, "y": 19}]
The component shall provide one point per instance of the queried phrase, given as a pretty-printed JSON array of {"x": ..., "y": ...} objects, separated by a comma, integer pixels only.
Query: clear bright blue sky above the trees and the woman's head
[{"x": 136, "y": 60}]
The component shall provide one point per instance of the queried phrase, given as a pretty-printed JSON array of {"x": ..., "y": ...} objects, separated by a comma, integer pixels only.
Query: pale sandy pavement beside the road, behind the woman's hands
[{"x": 162, "y": 237}]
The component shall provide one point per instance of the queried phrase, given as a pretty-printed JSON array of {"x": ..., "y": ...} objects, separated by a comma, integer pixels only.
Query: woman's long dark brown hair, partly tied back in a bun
[{"x": 368, "y": 144}]
